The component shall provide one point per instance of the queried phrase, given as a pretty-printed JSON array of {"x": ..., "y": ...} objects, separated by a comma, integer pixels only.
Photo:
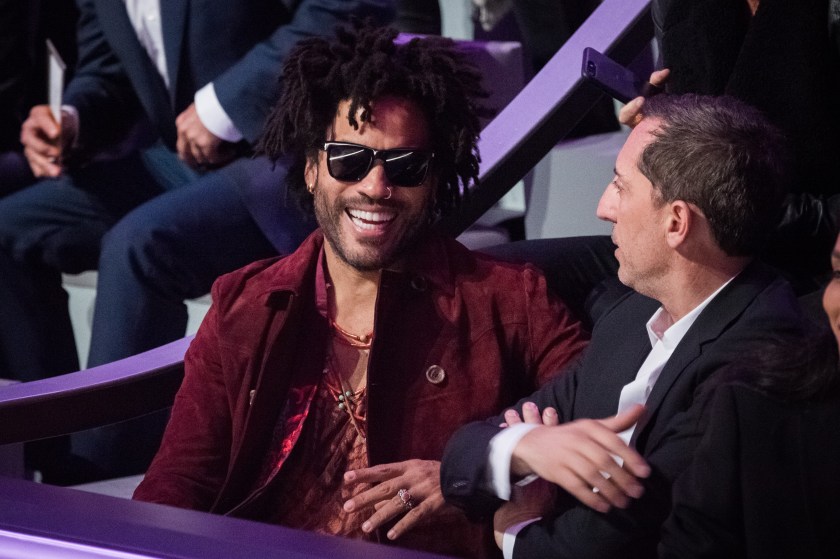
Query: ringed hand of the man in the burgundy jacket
[{"x": 421, "y": 480}]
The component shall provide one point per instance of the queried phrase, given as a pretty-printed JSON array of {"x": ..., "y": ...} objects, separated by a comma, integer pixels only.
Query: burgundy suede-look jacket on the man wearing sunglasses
[{"x": 458, "y": 336}]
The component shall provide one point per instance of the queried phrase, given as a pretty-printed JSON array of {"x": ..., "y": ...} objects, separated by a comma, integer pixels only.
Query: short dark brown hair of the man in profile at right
[{"x": 723, "y": 156}]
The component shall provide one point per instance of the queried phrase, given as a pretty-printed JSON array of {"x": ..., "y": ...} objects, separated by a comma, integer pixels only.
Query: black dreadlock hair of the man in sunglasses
[{"x": 363, "y": 64}]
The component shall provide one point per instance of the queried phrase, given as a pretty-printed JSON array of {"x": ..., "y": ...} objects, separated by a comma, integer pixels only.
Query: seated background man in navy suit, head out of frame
[{"x": 148, "y": 176}]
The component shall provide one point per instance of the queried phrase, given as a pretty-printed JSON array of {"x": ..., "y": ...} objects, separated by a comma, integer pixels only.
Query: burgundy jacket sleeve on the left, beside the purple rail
[{"x": 190, "y": 466}]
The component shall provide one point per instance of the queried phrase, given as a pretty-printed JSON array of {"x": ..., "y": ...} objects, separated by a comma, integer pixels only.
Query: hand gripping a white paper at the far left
[{"x": 42, "y": 142}]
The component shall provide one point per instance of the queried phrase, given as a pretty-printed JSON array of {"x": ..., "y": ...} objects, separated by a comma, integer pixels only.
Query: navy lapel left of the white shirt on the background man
[{"x": 144, "y": 77}]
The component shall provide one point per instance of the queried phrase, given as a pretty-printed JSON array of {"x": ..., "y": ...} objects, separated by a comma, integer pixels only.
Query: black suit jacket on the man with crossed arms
[{"x": 754, "y": 306}]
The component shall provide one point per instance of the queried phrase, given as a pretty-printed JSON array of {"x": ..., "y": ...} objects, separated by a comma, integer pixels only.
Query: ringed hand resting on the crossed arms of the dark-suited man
[{"x": 580, "y": 457}]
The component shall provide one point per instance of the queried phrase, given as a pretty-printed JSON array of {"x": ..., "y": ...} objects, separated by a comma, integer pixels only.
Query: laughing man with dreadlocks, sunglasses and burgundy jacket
[{"x": 322, "y": 387}]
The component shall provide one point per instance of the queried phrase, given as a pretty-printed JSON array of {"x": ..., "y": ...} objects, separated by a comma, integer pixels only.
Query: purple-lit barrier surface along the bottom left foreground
[{"x": 44, "y": 522}]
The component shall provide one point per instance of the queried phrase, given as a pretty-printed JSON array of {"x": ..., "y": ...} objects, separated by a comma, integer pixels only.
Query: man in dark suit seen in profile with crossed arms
[{"x": 697, "y": 187}]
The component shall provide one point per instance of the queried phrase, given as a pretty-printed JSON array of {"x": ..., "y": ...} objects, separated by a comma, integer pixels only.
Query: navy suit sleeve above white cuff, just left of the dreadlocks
[{"x": 249, "y": 88}]
